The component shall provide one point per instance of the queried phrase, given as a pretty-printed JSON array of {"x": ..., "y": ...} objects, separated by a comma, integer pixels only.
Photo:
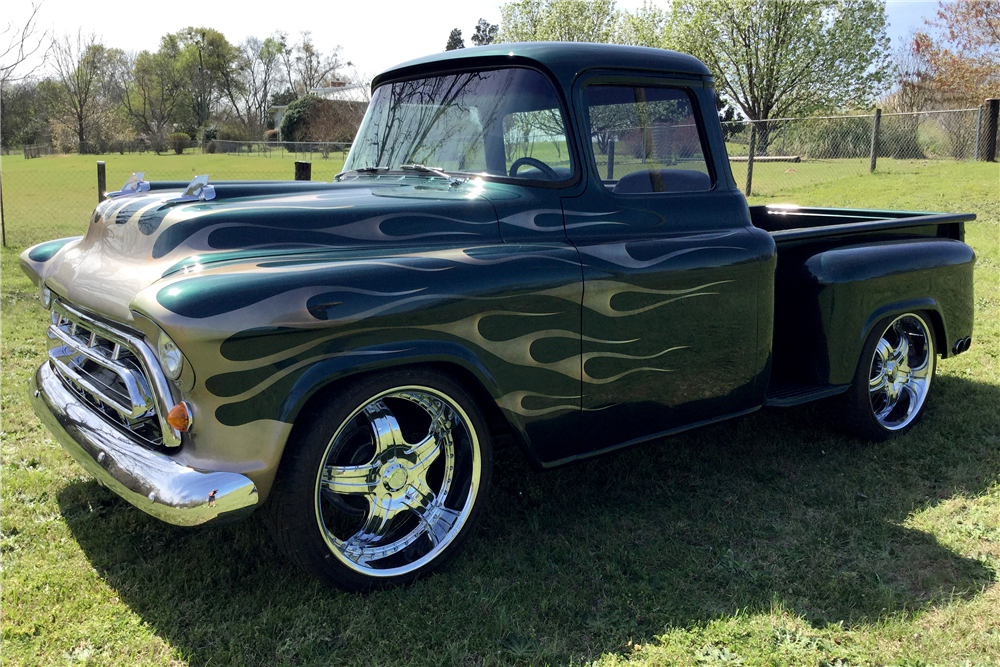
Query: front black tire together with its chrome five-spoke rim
[{"x": 385, "y": 482}]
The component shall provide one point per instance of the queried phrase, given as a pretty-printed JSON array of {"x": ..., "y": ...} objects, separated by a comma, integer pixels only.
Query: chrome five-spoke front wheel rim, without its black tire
[{"x": 399, "y": 479}]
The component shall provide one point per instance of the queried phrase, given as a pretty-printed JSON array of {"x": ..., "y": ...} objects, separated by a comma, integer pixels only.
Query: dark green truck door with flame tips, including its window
[{"x": 671, "y": 266}]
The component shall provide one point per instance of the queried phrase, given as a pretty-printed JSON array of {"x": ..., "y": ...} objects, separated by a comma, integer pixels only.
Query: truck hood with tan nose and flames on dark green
[{"x": 136, "y": 240}]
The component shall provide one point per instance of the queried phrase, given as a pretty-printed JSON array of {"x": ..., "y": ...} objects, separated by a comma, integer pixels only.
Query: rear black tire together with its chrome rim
[{"x": 891, "y": 384}]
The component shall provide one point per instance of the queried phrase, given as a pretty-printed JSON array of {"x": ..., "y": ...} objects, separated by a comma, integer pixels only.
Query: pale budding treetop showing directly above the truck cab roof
[{"x": 559, "y": 21}]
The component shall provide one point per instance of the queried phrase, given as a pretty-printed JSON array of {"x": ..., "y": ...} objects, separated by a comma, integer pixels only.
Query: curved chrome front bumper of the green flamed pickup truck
[{"x": 153, "y": 482}]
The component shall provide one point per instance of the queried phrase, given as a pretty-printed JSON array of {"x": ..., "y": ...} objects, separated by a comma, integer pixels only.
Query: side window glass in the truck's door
[{"x": 645, "y": 139}]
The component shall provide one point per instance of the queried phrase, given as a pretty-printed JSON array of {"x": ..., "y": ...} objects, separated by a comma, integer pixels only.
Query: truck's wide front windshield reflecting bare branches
[{"x": 497, "y": 122}]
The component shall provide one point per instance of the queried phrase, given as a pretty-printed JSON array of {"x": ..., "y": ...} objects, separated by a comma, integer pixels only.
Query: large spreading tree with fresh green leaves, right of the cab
[{"x": 781, "y": 58}]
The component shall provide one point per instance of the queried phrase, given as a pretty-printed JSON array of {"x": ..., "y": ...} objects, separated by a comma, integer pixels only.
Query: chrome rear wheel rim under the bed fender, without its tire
[{"x": 900, "y": 373}]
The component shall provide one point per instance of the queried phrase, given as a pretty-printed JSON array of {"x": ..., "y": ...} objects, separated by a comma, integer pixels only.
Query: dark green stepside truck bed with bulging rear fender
[{"x": 836, "y": 267}]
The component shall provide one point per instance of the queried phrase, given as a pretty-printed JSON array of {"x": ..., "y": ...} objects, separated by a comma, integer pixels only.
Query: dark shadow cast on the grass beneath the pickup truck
[{"x": 774, "y": 510}]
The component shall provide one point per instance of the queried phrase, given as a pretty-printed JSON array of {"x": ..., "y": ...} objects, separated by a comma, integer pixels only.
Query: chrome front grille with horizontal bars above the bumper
[{"x": 106, "y": 367}]
